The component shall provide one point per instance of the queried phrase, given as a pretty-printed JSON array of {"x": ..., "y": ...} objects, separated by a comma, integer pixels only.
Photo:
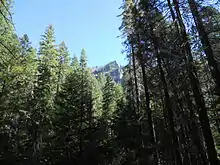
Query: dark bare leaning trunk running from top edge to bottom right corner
[{"x": 203, "y": 116}]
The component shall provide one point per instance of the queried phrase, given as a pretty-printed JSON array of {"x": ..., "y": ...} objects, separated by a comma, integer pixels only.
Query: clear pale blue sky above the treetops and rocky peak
[{"x": 89, "y": 24}]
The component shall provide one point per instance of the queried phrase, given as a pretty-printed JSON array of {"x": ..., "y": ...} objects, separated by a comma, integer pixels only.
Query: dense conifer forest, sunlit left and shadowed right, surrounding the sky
[{"x": 165, "y": 111}]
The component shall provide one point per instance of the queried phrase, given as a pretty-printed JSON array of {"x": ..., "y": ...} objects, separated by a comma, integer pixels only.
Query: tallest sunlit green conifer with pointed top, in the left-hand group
[{"x": 42, "y": 103}]
